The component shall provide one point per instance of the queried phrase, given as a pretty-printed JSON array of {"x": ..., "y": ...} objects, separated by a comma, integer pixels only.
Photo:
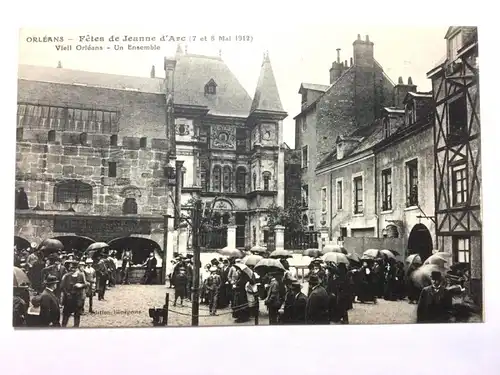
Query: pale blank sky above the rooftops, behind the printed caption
[{"x": 297, "y": 55}]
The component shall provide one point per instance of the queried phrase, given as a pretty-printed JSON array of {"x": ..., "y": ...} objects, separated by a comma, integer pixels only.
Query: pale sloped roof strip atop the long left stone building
[{"x": 91, "y": 79}]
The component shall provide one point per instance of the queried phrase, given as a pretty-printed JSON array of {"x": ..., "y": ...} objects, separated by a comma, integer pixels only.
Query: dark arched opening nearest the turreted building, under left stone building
[{"x": 140, "y": 247}]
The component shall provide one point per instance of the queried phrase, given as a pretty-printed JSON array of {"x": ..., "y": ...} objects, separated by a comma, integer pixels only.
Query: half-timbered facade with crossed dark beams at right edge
[{"x": 455, "y": 84}]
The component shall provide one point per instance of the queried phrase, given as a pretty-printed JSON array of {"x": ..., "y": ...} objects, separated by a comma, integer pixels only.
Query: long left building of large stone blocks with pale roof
[{"x": 91, "y": 155}]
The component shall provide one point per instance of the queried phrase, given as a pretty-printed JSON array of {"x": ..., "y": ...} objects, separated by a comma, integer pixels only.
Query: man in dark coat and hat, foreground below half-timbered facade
[{"x": 435, "y": 301}]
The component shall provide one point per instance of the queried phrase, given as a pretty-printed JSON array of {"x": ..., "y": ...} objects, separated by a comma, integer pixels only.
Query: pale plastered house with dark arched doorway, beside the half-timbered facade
[{"x": 376, "y": 186}]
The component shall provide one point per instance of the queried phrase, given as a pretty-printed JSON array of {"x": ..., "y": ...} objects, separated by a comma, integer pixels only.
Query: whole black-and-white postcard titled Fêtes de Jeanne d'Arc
[{"x": 238, "y": 179}]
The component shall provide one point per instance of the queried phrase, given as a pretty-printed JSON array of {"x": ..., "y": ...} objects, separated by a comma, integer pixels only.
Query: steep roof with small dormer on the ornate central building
[{"x": 193, "y": 72}]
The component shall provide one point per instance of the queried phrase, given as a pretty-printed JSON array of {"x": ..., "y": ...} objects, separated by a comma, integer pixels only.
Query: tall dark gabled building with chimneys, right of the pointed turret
[{"x": 353, "y": 100}]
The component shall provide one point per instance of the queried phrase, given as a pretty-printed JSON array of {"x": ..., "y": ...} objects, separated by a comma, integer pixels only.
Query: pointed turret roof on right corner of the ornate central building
[{"x": 266, "y": 96}]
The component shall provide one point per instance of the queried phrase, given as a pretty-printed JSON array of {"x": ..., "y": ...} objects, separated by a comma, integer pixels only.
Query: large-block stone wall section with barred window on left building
[{"x": 139, "y": 175}]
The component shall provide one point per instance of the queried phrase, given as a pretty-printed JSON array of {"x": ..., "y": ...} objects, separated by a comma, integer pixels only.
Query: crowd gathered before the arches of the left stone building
[{"x": 64, "y": 283}]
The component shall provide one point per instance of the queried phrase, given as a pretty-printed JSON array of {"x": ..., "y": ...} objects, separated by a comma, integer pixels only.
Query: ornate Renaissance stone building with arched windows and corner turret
[{"x": 231, "y": 145}]
